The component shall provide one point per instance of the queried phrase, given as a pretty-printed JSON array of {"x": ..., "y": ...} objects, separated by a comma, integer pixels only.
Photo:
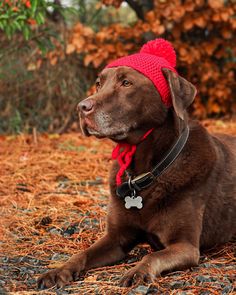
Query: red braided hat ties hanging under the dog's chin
[{"x": 124, "y": 152}]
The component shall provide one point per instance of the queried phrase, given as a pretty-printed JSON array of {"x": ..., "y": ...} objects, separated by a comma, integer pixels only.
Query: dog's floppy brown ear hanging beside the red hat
[{"x": 182, "y": 92}]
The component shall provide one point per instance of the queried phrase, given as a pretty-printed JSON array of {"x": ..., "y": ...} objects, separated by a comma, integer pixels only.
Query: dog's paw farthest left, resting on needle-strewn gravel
[{"x": 58, "y": 277}]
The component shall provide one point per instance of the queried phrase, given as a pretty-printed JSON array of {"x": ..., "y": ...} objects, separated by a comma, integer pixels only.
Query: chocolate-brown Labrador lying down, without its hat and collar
[{"x": 191, "y": 205}]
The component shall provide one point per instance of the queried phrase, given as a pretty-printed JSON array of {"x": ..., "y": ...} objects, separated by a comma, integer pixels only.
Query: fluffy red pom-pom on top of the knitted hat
[{"x": 161, "y": 48}]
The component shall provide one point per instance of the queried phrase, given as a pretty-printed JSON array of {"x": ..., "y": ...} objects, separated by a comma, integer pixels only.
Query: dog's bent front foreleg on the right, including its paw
[{"x": 175, "y": 256}]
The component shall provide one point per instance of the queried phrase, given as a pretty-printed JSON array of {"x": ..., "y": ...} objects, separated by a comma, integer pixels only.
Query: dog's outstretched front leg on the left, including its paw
[{"x": 104, "y": 252}]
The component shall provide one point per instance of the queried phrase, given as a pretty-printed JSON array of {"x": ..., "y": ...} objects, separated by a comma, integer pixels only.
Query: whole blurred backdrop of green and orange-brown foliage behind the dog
[{"x": 51, "y": 52}]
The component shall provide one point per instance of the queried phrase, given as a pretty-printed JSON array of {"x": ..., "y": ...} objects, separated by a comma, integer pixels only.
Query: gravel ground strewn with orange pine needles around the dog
[{"x": 53, "y": 196}]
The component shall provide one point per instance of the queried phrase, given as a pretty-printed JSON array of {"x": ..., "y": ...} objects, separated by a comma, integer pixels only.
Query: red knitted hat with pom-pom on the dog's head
[{"x": 153, "y": 56}]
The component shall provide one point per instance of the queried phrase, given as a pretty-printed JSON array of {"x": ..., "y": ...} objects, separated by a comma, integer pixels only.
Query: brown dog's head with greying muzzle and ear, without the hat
[{"x": 126, "y": 101}]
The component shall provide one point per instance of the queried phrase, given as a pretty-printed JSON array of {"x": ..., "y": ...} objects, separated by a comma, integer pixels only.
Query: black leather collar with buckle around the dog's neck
[{"x": 144, "y": 180}]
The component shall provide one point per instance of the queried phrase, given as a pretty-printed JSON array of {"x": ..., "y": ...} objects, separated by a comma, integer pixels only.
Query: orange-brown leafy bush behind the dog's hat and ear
[{"x": 203, "y": 34}]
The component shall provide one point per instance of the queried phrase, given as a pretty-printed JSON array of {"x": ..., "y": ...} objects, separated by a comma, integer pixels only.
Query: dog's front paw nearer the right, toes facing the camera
[{"x": 137, "y": 276}]
